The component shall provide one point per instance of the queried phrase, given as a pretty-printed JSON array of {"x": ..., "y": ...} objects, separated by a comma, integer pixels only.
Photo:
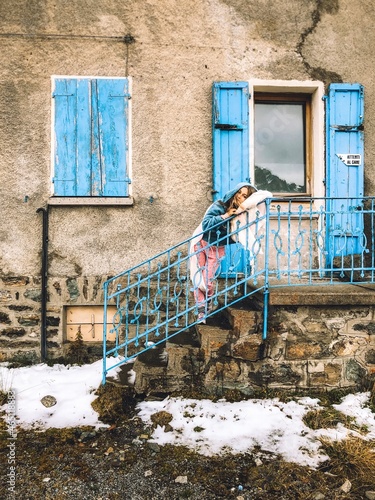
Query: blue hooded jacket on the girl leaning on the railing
[{"x": 213, "y": 217}]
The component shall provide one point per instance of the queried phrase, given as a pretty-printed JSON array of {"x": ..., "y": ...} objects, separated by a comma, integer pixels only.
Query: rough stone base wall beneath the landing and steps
[{"x": 307, "y": 347}]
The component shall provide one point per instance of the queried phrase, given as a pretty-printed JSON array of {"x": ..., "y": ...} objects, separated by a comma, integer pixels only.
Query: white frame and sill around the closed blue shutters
[{"x": 60, "y": 199}]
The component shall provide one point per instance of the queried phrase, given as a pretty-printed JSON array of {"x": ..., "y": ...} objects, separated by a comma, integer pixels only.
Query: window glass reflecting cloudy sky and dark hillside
[{"x": 280, "y": 147}]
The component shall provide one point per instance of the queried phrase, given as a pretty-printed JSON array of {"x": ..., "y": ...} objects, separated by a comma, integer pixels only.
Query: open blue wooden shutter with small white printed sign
[{"x": 344, "y": 169}]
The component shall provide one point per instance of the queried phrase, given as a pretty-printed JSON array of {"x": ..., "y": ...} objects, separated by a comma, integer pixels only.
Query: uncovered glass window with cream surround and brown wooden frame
[{"x": 287, "y": 137}]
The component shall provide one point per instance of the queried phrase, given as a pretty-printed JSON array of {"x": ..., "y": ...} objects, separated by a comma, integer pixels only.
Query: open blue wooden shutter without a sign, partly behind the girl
[{"x": 230, "y": 153}]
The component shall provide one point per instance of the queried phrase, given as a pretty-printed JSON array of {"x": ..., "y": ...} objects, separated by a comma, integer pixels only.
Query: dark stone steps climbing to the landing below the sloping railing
[{"x": 199, "y": 359}]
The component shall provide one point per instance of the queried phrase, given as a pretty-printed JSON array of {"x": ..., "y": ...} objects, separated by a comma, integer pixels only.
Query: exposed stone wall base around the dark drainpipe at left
[{"x": 20, "y": 313}]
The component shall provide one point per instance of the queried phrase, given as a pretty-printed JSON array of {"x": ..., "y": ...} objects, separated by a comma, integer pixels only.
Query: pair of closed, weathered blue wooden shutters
[{"x": 91, "y": 137}]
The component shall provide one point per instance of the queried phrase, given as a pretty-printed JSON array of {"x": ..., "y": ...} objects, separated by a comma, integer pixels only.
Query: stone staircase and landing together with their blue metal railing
[{"x": 155, "y": 334}]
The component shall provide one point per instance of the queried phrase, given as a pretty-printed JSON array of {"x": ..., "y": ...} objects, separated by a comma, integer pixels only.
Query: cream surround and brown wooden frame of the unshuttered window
[{"x": 313, "y": 92}]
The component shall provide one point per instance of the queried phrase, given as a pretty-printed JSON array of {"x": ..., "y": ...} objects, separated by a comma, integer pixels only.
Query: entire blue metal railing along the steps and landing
[{"x": 289, "y": 242}]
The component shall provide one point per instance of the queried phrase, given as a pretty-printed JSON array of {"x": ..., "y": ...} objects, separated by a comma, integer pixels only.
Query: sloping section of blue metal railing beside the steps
[{"x": 154, "y": 301}]
